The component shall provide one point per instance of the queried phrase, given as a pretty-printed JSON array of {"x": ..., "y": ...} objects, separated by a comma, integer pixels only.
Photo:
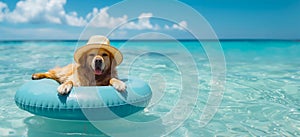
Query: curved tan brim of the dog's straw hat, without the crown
[{"x": 114, "y": 51}]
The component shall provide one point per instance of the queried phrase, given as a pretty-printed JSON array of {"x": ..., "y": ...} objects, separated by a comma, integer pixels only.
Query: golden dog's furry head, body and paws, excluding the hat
[{"x": 86, "y": 72}]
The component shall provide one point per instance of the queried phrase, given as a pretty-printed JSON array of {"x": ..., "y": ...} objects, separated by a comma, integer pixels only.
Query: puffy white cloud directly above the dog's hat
[{"x": 100, "y": 18}]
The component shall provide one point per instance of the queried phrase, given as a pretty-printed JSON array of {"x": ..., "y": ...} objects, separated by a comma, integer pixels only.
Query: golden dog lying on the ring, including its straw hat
[{"x": 95, "y": 66}]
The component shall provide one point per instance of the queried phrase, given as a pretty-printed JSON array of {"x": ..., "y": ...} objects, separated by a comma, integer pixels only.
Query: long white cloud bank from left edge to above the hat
[{"x": 52, "y": 11}]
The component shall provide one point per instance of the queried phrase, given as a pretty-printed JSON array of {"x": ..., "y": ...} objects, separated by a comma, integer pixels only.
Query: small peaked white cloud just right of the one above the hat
[{"x": 142, "y": 23}]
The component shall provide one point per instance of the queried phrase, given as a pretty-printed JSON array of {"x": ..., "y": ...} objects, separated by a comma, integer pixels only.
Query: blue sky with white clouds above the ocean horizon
[{"x": 229, "y": 19}]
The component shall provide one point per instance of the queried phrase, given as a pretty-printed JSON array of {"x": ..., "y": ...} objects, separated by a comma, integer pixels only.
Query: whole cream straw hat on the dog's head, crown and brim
[{"x": 99, "y": 42}]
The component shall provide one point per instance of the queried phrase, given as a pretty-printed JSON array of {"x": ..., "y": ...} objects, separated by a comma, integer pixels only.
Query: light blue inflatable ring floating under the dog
[{"x": 40, "y": 97}]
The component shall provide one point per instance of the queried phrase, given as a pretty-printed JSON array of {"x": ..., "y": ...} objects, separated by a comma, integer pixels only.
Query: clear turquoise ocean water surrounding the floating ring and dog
[{"x": 261, "y": 96}]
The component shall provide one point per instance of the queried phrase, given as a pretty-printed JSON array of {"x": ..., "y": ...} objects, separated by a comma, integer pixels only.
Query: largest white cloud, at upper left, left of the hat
[{"x": 43, "y": 11}]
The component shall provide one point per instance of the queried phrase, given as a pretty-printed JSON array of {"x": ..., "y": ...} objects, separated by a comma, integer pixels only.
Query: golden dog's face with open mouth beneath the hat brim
[{"x": 97, "y": 60}]
